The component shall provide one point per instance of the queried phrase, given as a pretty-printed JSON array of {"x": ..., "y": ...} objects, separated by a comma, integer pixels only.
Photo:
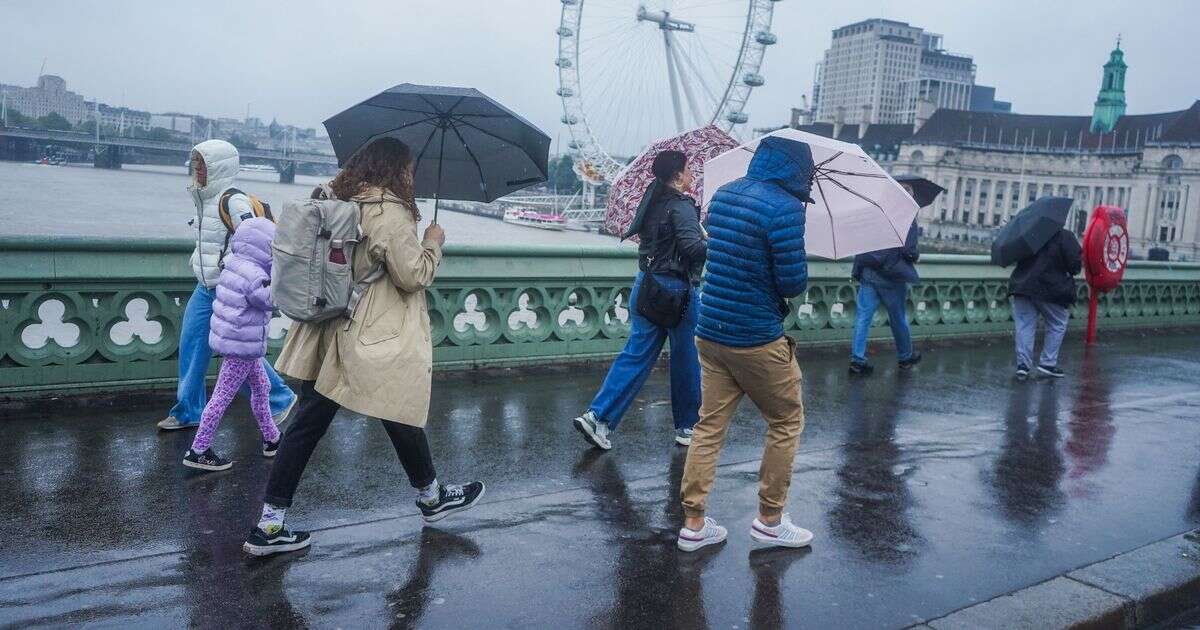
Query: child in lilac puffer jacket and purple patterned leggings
[{"x": 238, "y": 333}]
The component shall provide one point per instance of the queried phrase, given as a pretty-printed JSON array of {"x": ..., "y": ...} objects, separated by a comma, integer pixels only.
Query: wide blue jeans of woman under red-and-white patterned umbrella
[{"x": 633, "y": 367}]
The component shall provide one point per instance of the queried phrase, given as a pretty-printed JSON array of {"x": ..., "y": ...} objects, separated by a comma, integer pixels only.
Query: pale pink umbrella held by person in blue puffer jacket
[{"x": 857, "y": 207}]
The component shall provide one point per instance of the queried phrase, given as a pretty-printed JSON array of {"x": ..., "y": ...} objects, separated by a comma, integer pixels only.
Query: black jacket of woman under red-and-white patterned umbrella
[{"x": 671, "y": 238}]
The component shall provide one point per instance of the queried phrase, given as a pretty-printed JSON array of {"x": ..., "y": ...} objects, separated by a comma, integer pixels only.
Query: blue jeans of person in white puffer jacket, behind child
[{"x": 194, "y": 363}]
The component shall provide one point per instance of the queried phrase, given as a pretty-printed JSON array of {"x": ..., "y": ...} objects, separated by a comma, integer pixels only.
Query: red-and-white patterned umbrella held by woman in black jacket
[{"x": 627, "y": 190}]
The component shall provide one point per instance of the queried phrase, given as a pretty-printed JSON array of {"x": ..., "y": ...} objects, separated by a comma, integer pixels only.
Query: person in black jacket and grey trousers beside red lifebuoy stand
[{"x": 1045, "y": 286}]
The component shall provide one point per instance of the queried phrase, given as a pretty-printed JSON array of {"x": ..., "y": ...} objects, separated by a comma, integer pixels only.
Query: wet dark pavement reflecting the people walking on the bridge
[{"x": 927, "y": 493}]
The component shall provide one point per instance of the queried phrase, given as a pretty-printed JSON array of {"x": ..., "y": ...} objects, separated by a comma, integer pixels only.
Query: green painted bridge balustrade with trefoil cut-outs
[{"x": 80, "y": 314}]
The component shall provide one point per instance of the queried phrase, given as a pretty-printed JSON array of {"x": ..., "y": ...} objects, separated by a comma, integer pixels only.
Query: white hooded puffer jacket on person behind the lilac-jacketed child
[{"x": 221, "y": 160}]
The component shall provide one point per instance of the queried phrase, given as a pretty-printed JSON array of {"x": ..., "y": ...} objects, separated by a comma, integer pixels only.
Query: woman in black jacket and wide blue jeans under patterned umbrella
[{"x": 670, "y": 256}]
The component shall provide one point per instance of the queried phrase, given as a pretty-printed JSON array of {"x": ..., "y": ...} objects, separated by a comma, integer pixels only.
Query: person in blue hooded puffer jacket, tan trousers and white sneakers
[{"x": 757, "y": 262}]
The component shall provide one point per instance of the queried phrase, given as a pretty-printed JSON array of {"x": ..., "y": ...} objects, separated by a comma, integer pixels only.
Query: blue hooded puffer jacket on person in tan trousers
[{"x": 757, "y": 248}]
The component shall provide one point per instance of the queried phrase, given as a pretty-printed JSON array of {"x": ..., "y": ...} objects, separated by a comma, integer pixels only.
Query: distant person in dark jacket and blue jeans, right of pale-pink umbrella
[{"x": 884, "y": 278}]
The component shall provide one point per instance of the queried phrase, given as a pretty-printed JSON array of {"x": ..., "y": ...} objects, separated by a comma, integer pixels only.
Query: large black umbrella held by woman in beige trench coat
[{"x": 465, "y": 146}]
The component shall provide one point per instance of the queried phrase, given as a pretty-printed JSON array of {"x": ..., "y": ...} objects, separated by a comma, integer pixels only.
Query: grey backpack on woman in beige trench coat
[{"x": 311, "y": 273}]
